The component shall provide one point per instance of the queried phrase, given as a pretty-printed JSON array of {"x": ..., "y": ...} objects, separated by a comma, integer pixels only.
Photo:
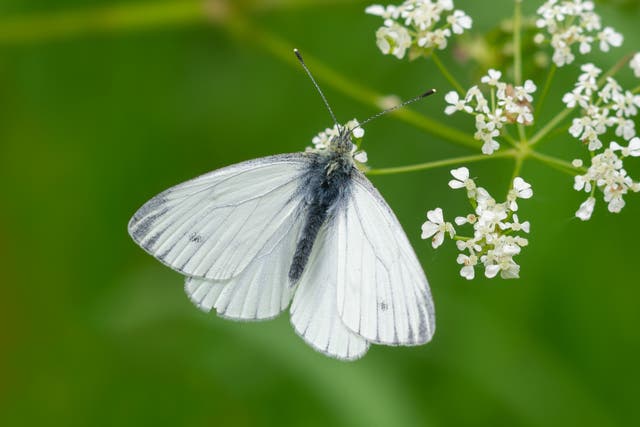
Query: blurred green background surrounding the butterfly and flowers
[{"x": 104, "y": 103}]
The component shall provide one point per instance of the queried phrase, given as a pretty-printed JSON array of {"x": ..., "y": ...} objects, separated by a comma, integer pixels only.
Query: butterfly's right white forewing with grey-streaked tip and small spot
[{"x": 382, "y": 292}]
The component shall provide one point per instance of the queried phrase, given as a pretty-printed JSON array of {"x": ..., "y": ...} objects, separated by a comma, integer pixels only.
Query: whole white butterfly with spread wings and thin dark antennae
[{"x": 307, "y": 230}]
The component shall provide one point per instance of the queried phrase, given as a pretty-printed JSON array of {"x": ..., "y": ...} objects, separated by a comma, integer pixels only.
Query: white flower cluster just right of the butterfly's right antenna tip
[{"x": 507, "y": 105}]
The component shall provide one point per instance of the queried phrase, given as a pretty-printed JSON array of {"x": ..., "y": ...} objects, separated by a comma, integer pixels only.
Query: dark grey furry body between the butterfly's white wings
[{"x": 326, "y": 186}]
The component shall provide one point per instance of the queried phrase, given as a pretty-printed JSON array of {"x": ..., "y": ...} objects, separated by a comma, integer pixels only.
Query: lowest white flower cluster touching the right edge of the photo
[{"x": 607, "y": 173}]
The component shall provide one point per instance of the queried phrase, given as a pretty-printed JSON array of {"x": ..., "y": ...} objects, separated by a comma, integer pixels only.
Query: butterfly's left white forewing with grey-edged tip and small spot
[{"x": 214, "y": 226}]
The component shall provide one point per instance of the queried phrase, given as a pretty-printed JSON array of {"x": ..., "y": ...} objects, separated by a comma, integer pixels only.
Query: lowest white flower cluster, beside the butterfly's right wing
[{"x": 496, "y": 226}]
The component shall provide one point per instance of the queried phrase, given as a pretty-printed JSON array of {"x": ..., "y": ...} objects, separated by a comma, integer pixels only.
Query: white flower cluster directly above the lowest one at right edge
[{"x": 603, "y": 108}]
